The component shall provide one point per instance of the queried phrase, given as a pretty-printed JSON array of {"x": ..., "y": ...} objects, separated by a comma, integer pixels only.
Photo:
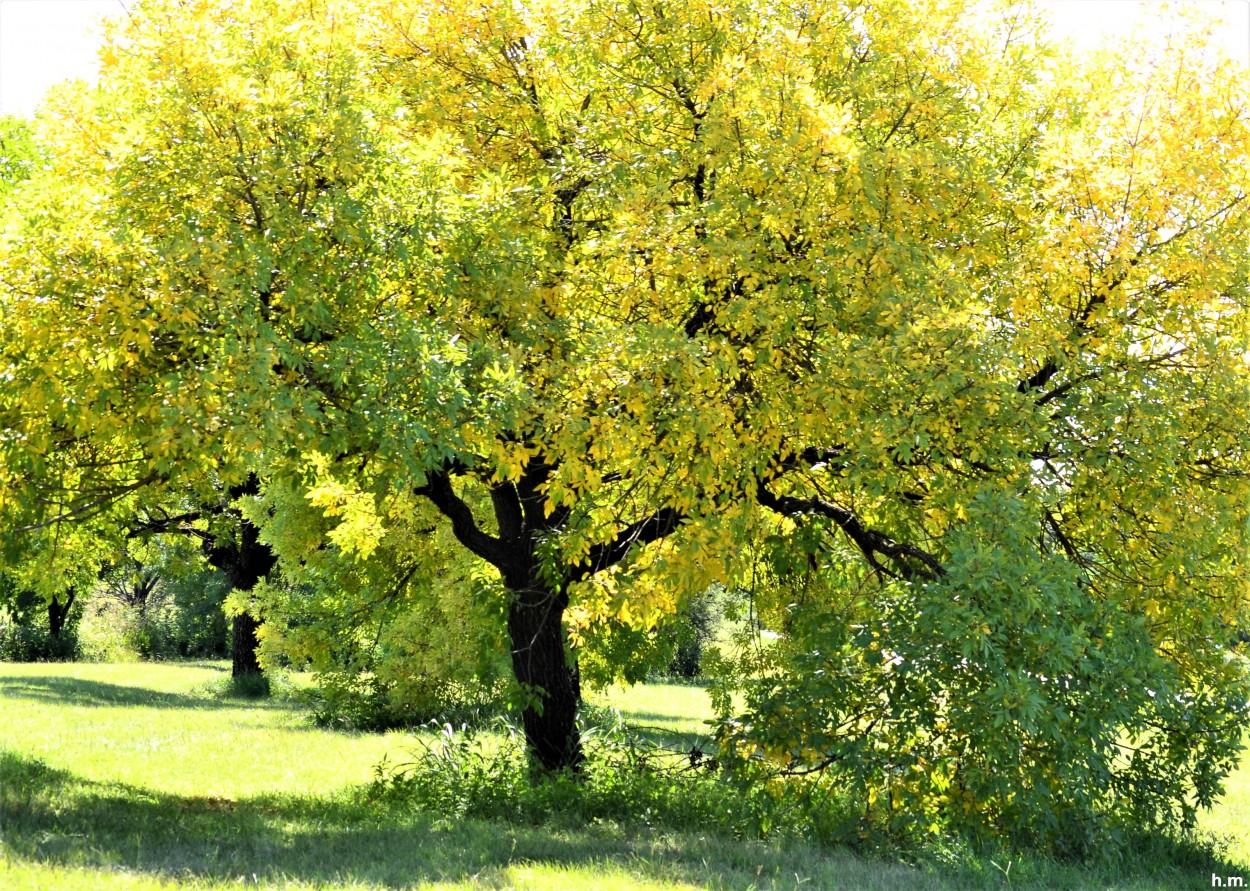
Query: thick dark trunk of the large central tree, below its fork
[{"x": 541, "y": 663}]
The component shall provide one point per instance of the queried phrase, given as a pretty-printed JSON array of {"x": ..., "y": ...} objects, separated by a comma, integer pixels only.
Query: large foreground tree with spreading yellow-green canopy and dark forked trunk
[{"x": 636, "y": 296}]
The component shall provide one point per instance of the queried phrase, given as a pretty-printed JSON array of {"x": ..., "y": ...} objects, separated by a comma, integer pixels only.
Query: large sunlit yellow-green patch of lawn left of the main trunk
[{"x": 154, "y": 725}]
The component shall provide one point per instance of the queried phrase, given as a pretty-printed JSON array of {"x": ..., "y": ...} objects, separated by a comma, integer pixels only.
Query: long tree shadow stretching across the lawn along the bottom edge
[{"x": 54, "y": 818}]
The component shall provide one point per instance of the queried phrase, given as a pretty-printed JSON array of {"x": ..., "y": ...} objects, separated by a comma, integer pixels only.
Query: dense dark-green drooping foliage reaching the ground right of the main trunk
[{"x": 998, "y": 700}]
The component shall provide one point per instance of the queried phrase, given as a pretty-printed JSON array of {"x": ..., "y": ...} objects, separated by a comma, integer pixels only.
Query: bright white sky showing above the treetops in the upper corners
[{"x": 46, "y": 42}]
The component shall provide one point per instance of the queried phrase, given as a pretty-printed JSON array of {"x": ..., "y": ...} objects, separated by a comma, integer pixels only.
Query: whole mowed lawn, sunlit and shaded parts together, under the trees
[{"x": 138, "y": 777}]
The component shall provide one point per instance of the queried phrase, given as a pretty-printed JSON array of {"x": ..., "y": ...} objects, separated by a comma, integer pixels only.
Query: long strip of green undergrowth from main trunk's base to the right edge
[{"x": 628, "y": 782}]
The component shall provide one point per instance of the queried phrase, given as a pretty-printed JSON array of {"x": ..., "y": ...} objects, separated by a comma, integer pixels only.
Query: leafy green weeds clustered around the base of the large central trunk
[{"x": 484, "y": 773}]
